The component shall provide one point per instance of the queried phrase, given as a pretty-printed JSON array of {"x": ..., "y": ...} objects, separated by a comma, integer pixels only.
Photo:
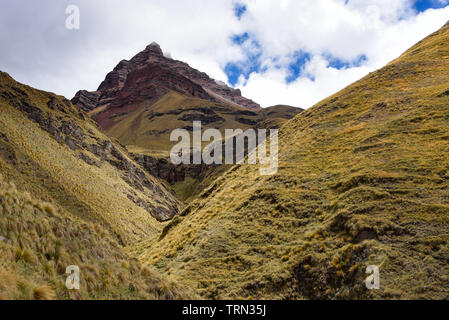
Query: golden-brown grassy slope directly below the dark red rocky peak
[{"x": 146, "y": 131}]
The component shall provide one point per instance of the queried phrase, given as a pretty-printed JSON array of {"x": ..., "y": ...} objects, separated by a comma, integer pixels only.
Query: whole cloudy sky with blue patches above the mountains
[{"x": 294, "y": 52}]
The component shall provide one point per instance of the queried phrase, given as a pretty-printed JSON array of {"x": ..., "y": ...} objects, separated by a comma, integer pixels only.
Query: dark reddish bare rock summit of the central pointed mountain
[{"x": 148, "y": 76}]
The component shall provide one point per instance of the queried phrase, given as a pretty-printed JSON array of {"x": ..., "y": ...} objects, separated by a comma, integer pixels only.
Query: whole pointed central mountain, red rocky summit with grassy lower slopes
[{"x": 143, "y": 100}]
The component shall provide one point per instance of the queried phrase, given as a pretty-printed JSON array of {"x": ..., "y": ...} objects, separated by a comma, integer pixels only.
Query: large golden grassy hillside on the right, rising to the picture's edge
[{"x": 363, "y": 179}]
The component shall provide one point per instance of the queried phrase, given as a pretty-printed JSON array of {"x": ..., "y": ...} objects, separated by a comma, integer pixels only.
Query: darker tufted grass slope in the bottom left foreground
[{"x": 38, "y": 242}]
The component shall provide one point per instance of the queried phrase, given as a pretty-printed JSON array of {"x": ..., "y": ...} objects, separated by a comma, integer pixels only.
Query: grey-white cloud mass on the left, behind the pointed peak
[{"x": 40, "y": 51}]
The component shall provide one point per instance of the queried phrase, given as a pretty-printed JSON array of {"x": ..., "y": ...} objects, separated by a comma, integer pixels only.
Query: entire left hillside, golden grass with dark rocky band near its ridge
[{"x": 60, "y": 210}]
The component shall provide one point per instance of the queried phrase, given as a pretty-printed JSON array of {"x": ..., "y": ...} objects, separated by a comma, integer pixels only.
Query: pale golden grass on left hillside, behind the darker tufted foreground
[{"x": 53, "y": 171}]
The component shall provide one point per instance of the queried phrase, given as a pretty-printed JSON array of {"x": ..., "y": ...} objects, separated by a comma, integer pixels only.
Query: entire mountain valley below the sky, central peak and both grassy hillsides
[{"x": 362, "y": 180}]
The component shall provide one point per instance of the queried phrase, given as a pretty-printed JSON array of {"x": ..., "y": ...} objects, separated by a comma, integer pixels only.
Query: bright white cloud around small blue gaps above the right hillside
[{"x": 381, "y": 30}]
